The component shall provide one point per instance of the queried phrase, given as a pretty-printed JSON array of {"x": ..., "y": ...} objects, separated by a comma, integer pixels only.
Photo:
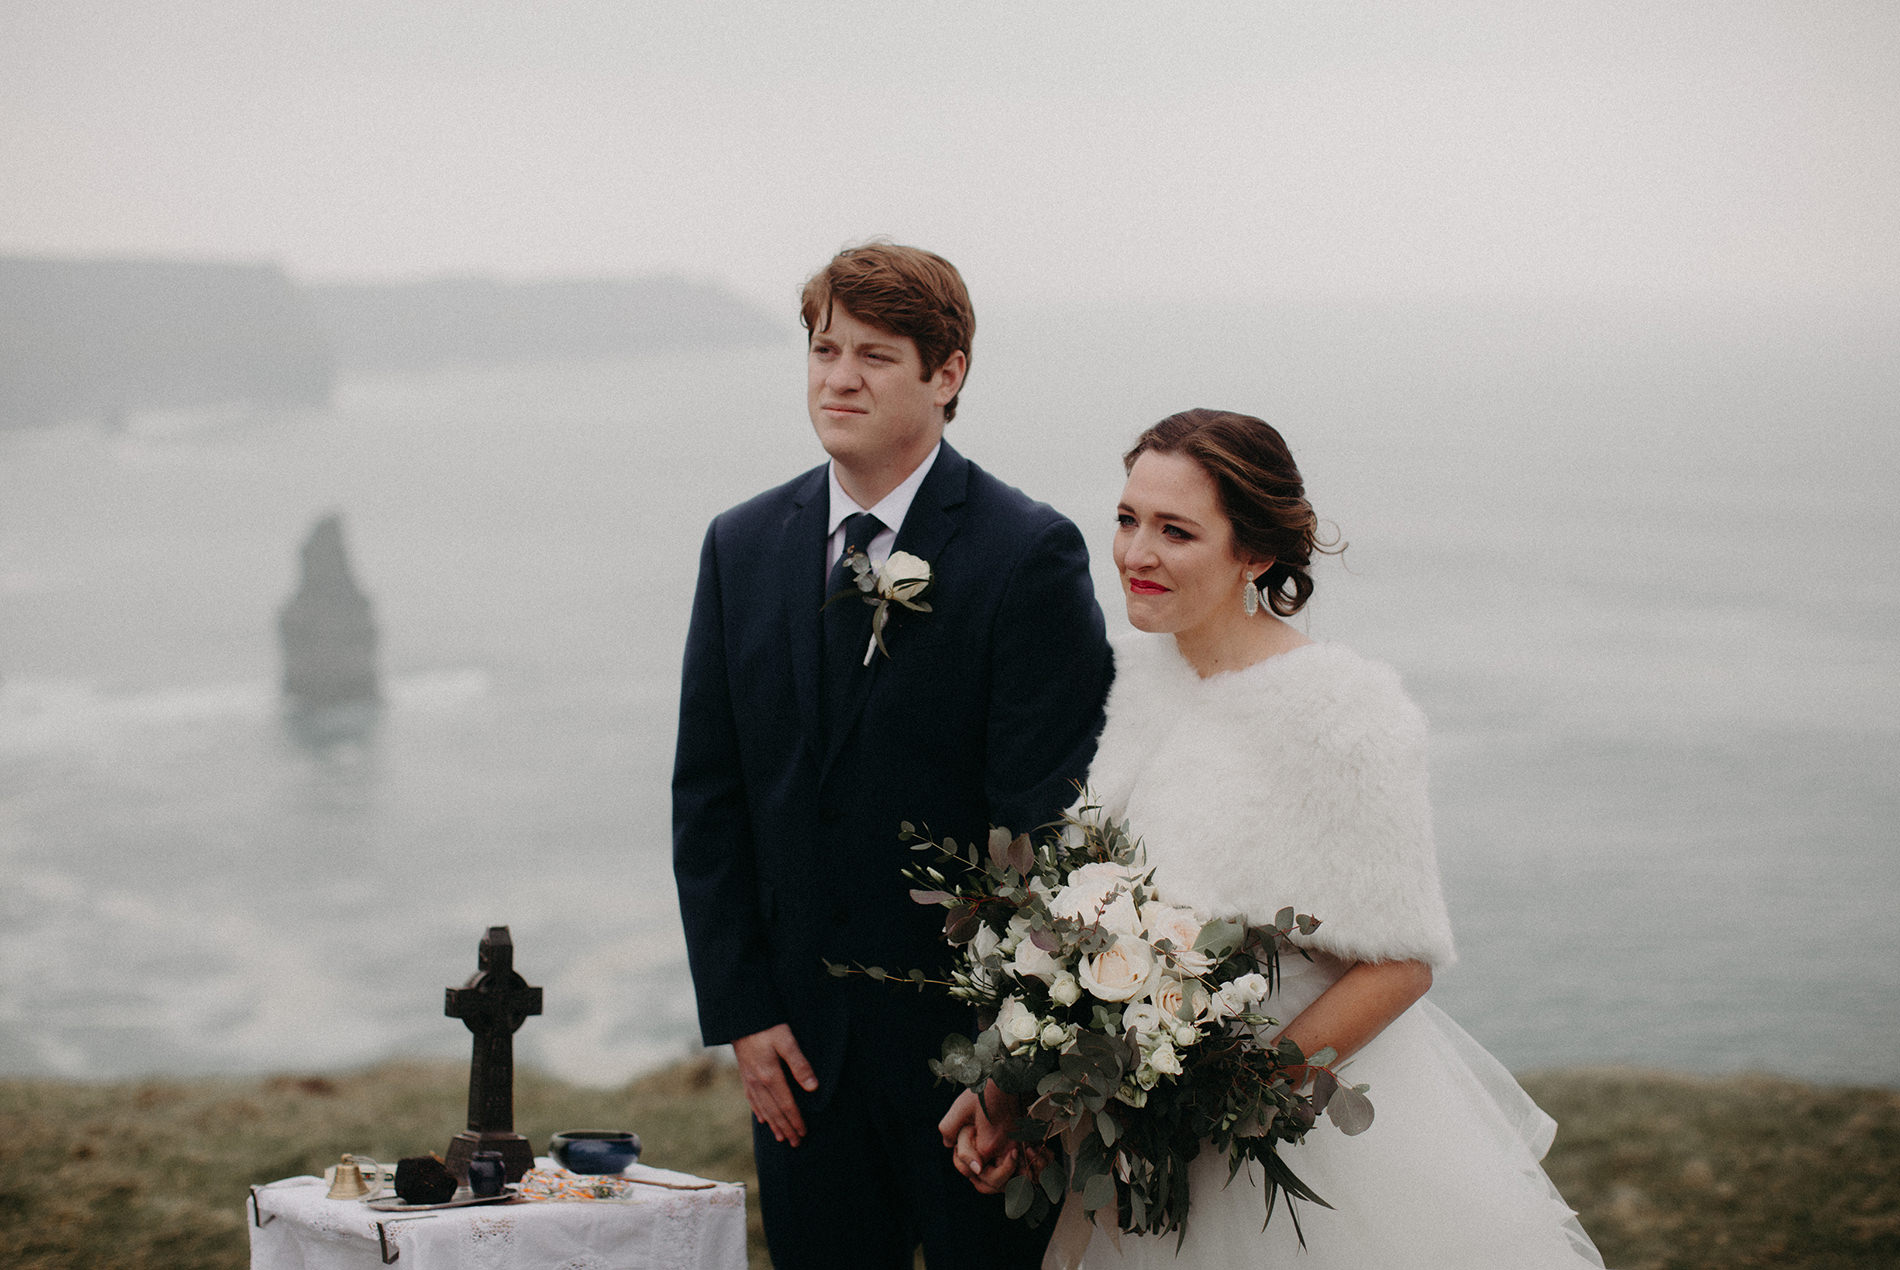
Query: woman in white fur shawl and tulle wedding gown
[{"x": 1261, "y": 771}]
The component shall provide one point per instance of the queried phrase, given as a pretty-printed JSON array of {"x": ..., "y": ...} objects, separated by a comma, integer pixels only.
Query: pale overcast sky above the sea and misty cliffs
[{"x": 1054, "y": 151}]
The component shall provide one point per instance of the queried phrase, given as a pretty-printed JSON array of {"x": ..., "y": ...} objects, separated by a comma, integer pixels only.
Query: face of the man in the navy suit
[{"x": 869, "y": 398}]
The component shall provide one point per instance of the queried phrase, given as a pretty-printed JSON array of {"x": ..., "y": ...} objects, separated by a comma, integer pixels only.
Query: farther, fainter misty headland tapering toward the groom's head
[{"x": 438, "y": 322}]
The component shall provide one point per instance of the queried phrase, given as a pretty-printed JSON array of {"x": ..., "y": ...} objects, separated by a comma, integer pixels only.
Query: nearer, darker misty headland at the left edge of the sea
[{"x": 113, "y": 337}]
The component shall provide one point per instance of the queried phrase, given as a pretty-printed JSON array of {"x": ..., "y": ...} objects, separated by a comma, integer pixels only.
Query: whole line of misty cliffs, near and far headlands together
[{"x": 107, "y": 339}]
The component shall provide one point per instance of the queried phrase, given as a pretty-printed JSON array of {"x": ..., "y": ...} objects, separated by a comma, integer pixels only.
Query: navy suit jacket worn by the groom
[{"x": 786, "y": 845}]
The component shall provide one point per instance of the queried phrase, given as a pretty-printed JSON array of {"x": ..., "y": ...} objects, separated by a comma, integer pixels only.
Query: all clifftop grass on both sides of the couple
[{"x": 1669, "y": 1172}]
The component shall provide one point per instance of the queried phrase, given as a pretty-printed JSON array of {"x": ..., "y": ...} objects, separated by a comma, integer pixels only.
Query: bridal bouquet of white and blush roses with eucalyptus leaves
[{"x": 1130, "y": 1029}]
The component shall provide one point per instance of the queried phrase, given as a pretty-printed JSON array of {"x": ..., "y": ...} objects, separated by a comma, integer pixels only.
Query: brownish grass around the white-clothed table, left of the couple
[{"x": 155, "y": 1174}]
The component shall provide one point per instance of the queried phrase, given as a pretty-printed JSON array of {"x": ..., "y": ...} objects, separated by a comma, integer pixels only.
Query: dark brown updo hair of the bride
[{"x": 1261, "y": 491}]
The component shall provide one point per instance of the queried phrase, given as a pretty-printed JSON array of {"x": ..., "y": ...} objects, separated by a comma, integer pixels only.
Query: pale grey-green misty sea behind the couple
[{"x": 1639, "y": 560}]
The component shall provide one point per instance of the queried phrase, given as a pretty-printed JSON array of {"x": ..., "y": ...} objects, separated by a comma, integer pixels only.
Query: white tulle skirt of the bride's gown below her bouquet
[{"x": 1449, "y": 1174}]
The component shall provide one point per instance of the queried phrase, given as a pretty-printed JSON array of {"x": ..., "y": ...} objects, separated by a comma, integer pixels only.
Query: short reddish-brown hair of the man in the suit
[{"x": 902, "y": 290}]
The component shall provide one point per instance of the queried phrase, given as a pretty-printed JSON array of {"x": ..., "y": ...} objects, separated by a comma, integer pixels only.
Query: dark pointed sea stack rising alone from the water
[{"x": 328, "y": 632}]
